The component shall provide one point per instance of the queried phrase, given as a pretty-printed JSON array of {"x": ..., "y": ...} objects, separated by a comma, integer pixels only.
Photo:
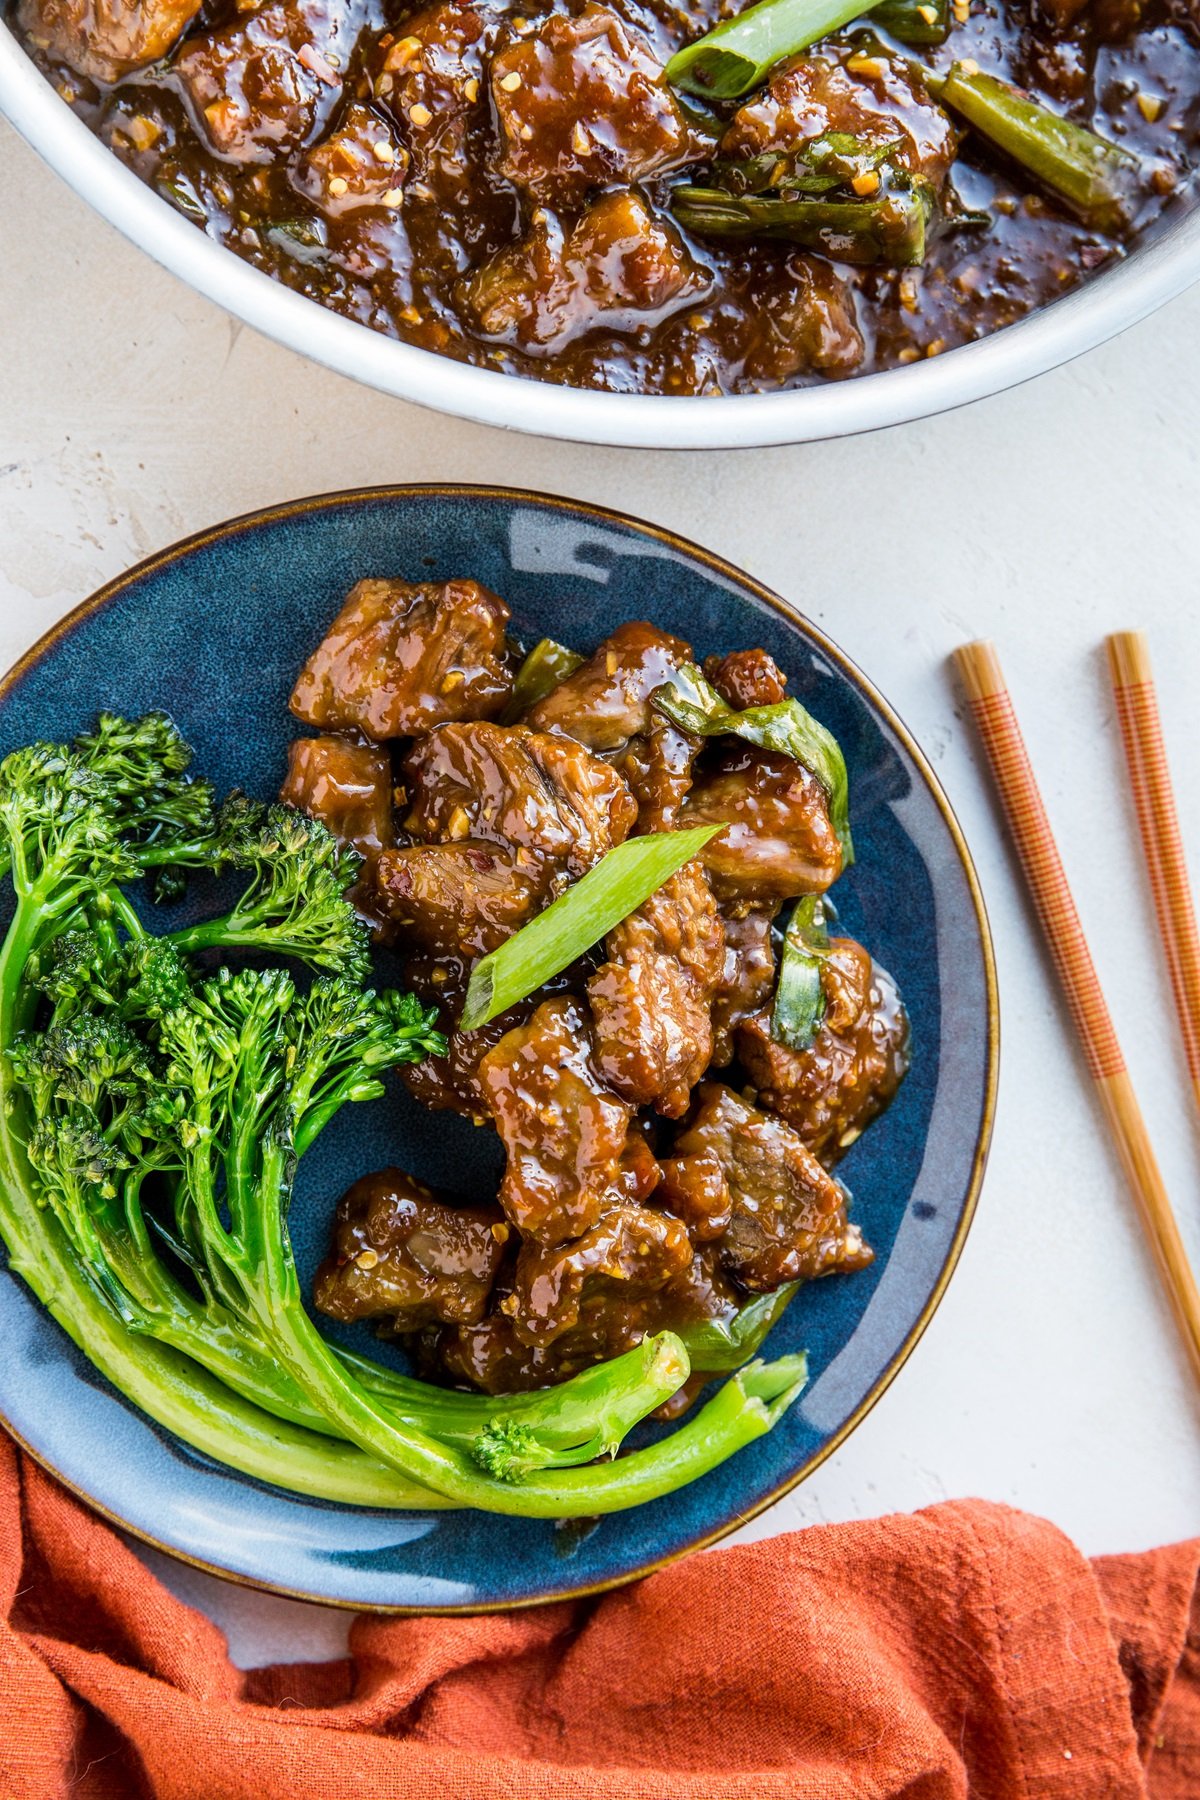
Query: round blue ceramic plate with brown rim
[{"x": 215, "y": 631}]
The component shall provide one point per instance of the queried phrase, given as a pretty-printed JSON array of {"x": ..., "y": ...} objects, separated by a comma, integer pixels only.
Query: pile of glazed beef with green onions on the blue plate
[{"x": 586, "y": 867}]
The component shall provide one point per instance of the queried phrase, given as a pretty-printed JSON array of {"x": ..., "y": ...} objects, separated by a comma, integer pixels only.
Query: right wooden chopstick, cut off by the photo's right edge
[{"x": 1158, "y": 822}]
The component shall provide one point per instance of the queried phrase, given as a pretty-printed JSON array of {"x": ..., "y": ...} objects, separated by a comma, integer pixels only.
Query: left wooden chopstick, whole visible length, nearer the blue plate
[{"x": 1044, "y": 872}]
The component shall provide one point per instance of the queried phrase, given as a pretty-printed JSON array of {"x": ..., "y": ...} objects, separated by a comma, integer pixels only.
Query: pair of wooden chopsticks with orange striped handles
[{"x": 1154, "y": 800}]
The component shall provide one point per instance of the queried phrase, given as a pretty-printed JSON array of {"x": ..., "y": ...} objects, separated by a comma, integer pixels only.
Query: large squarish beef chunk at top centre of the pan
[{"x": 584, "y": 103}]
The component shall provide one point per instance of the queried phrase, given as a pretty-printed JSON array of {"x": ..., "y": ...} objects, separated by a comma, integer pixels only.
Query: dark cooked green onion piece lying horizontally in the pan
[{"x": 870, "y": 233}]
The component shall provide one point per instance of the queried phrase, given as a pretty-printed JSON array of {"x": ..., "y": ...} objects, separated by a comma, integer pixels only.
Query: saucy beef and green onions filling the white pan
[{"x": 643, "y": 197}]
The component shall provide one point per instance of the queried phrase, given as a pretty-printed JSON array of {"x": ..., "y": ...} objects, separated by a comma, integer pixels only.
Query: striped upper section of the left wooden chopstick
[{"x": 1030, "y": 825}]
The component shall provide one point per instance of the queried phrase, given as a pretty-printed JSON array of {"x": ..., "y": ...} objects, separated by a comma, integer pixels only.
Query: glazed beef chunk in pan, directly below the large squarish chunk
[{"x": 620, "y": 267}]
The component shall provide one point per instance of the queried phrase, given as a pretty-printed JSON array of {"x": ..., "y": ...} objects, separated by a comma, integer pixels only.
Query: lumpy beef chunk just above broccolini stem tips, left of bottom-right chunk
[{"x": 632, "y": 1246}]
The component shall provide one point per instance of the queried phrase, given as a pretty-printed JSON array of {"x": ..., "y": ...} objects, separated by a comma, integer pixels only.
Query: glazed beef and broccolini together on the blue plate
[{"x": 161, "y": 1086}]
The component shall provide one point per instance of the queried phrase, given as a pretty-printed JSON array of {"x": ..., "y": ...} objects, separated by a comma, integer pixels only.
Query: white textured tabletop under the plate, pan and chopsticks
[{"x": 134, "y": 413}]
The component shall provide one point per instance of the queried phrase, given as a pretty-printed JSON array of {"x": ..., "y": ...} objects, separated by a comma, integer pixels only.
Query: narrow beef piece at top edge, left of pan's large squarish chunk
[{"x": 431, "y": 76}]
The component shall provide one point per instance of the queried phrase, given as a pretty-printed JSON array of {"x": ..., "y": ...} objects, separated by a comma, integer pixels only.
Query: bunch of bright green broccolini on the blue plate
[{"x": 152, "y": 1119}]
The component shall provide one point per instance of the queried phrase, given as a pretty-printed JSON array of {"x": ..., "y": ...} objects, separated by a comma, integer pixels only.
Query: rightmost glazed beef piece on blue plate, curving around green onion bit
[{"x": 857, "y": 1061}]
